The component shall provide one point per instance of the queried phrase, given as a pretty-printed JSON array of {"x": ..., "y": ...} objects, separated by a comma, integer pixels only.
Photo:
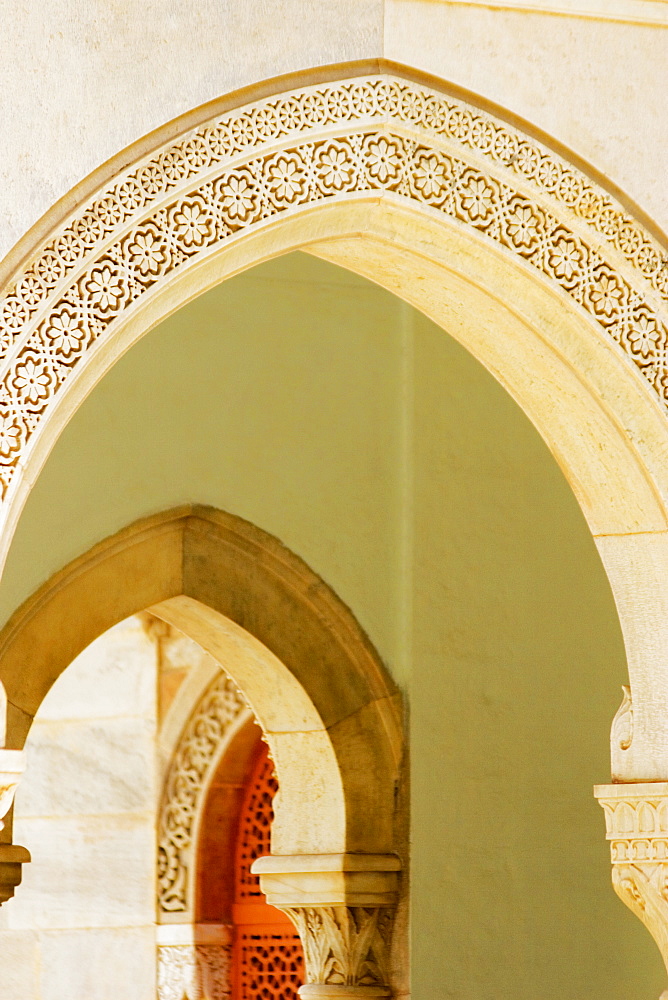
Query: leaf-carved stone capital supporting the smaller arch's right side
[{"x": 343, "y": 908}]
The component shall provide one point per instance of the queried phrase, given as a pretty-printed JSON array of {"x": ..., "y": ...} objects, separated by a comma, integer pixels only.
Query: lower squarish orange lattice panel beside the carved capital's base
[{"x": 271, "y": 965}]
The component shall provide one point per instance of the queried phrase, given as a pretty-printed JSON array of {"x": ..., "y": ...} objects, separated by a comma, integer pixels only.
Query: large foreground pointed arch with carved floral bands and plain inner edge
[{"x": 543, "y": 274}]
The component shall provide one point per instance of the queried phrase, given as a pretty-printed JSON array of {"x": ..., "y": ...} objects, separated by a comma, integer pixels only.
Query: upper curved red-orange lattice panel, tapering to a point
[{"x": 254, "y": 836}]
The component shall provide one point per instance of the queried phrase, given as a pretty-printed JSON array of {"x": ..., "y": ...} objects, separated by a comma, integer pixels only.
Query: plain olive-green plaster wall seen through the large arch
[{"x": 330, "y": 414}]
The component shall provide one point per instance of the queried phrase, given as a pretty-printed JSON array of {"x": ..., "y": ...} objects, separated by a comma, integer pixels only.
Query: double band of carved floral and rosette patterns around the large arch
[{"x": 315, "y": 144}]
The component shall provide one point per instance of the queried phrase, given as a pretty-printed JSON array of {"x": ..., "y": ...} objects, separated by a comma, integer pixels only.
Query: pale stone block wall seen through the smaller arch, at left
[{"x": 83, "y": 923}]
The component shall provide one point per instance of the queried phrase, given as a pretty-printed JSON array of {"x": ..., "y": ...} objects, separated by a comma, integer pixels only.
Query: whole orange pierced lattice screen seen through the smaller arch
[{"x": 268, "y": 962}]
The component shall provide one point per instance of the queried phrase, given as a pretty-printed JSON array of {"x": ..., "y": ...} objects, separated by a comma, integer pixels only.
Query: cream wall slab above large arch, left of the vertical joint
[{"x": 144, "y": 71}]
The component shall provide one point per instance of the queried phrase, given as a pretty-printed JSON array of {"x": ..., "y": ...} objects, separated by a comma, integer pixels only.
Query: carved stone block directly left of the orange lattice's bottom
[{"x": 194, "y": 972}]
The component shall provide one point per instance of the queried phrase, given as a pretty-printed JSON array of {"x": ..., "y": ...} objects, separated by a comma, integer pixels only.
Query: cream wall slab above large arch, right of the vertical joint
[{"x": 583, "y": 101}]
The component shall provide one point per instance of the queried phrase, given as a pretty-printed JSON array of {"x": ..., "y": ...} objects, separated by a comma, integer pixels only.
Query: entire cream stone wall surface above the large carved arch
[{"x": 116, "y": 98}]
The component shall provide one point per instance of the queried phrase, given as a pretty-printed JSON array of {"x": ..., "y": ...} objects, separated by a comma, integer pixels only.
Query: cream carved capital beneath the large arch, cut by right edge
[{"x": 636, "y": 817}]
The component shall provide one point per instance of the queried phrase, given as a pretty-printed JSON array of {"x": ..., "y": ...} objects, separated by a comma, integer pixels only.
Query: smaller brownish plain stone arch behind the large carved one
[{"x": 312, "y": 678}]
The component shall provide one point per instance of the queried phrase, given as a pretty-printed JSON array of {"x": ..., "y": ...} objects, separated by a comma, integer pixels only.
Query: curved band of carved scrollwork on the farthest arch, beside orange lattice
[{"x": 186, "y": 778}]
